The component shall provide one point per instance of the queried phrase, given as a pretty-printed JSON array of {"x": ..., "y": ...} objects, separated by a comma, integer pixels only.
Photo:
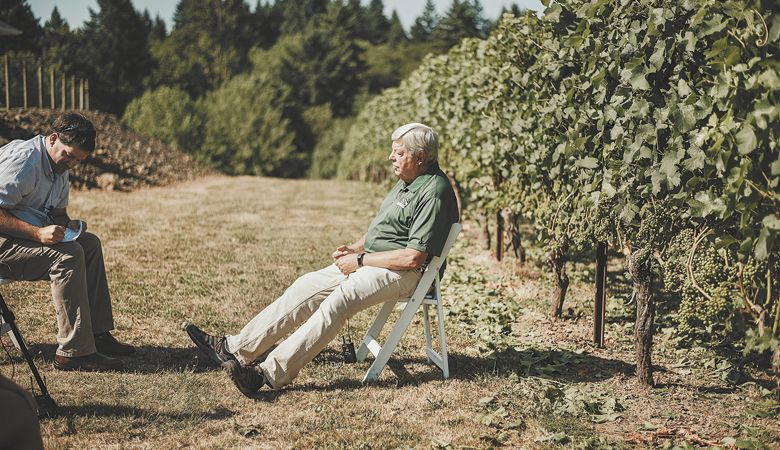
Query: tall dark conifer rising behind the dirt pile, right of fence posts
[{"x": 115, "y": 54}]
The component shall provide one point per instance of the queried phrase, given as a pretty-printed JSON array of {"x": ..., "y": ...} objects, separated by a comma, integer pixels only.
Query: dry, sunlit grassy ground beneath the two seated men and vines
[{"x": 217, "y": 250}]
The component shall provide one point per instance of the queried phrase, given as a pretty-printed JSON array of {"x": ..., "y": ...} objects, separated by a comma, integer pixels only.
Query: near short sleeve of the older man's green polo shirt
[{"x": 430, "y": 226}]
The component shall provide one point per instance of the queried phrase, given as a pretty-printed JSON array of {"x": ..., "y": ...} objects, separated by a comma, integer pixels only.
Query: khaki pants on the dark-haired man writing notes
[{"x": 79, "y": 288}]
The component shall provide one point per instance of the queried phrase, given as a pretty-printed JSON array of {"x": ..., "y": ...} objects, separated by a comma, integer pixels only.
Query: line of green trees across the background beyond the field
[{"x": 265, "y": 89}]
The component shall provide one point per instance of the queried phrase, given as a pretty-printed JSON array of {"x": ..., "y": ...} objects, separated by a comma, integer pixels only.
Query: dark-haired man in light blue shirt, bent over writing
[{"x": 34, "y": 189}]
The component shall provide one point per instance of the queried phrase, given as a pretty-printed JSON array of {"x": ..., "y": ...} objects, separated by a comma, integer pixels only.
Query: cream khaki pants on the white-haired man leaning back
[{"x": 318, "y": 304}]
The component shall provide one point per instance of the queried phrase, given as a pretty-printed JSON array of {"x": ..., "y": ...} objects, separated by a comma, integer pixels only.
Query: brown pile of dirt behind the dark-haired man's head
[{"x": 122, "y": 160}]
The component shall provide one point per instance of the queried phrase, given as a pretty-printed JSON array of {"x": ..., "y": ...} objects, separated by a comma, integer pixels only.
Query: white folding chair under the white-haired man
[{"x": 423, "y": 295}]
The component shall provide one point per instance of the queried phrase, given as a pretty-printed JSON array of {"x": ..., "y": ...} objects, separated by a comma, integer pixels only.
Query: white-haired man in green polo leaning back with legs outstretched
[{"x": 384, "y": 265}]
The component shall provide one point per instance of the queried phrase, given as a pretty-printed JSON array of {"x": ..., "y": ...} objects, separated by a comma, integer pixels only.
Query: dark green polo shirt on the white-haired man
[{"x": 417, "y": 215}]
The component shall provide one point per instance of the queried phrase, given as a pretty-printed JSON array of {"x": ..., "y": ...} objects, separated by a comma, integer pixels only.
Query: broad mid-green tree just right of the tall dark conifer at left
[{"x": 209, "y": 43}]
